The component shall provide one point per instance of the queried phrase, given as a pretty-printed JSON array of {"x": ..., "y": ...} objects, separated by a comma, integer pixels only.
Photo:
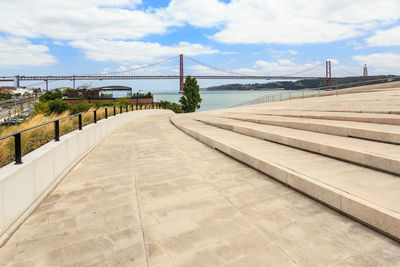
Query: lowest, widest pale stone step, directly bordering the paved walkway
[{"x": 369, "y": 196}]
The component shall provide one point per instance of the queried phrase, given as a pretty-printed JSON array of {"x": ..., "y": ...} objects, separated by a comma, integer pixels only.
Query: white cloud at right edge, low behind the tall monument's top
[{"x": 380, "y": 63}]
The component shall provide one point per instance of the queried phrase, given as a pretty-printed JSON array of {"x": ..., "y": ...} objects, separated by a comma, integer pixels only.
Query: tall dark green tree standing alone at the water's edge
[{"x": 190, "y": 100}]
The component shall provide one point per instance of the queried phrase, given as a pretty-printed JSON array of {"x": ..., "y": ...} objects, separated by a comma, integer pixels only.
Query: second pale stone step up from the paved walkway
[{"x": 384, "y": 157}]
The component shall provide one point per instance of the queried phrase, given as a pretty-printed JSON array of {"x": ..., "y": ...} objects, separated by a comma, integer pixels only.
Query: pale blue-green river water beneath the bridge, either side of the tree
[{"x": 225, "y": 99}]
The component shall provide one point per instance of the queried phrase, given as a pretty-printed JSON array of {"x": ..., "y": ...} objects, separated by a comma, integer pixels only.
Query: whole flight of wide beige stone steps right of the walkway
[{"x": 349, "y": 161}]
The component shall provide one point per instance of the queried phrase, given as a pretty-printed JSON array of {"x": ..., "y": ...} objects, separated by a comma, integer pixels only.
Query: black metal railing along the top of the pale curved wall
[{"x": 56, "y": 123}]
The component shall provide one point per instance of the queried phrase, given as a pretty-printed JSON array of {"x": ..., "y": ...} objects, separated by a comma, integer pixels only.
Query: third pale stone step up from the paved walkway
[{"x": 371, "y": 131}]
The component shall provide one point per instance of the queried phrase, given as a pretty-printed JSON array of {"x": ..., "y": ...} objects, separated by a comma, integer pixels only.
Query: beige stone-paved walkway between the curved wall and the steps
[{"x": 150, "y": 195}]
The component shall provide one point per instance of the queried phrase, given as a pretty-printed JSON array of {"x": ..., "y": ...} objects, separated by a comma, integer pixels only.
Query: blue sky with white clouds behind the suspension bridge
[{"x": 254, "y": 37}]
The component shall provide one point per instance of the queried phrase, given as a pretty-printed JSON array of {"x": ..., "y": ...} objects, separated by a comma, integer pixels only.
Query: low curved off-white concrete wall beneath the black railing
[{"x": 23, "y": 187}]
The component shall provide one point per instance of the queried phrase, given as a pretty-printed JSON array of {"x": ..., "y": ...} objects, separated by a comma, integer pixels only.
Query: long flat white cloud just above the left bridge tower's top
[{"x": 136, "y": 52}]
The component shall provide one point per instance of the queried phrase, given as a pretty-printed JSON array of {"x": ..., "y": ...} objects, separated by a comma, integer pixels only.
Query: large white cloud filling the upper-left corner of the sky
[{"x": 77, "y": 19}]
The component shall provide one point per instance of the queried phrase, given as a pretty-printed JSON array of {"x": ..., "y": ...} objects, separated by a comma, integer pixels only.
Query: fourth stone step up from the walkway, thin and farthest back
[{"x": 391, "y": 119}]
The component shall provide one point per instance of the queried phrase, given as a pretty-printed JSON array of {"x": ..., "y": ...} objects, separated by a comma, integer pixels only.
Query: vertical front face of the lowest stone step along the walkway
[{"x": 374, "y": 216}]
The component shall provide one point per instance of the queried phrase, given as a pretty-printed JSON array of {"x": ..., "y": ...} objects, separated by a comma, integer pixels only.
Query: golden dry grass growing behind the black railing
[{"x": 35, "y": 138}]
